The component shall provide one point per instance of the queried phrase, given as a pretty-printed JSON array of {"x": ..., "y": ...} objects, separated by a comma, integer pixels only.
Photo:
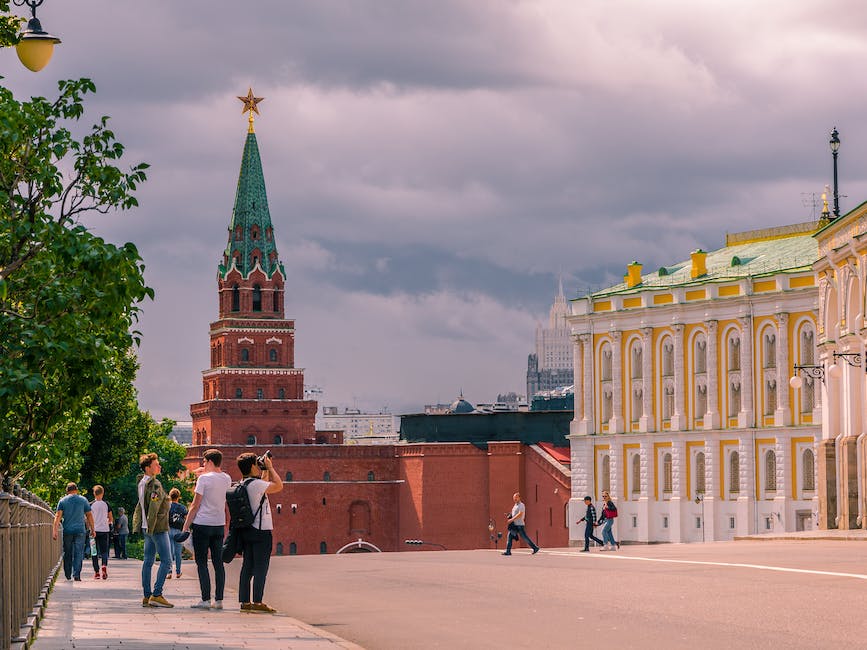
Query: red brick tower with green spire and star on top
[{"x": 252, "y": 394}]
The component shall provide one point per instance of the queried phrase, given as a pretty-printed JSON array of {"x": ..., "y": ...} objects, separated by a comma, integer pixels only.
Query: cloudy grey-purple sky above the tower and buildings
[{"x": 432, "y": 167}]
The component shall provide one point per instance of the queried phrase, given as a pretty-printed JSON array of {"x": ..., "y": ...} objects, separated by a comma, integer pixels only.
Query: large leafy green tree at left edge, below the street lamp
[{"x": 68, "y": 299}]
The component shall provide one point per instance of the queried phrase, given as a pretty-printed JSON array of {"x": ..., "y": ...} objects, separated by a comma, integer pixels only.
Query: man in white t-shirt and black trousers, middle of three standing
[{"x": 207, "y": 519}]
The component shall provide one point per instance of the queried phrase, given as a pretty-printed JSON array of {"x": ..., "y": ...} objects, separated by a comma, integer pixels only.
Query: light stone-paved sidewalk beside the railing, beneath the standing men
[{"x": 95, "y": 614}]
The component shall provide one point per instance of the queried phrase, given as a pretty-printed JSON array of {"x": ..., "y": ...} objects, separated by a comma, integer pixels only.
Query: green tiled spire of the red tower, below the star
[{"x": 250, "y": 229}]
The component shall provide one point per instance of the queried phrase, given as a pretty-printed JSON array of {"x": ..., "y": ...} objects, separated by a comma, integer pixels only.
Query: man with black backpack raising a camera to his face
[{"x": 257, "y": 539}]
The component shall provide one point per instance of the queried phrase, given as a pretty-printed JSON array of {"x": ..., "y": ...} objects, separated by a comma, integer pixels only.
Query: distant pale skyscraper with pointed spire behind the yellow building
[{"x": 551, "y": 365}]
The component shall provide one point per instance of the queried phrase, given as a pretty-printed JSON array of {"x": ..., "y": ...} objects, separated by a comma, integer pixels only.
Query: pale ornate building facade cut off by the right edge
[{"x": 840, "y": 271}]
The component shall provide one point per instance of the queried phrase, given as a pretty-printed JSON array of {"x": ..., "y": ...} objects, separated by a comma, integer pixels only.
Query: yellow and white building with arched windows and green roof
[{"x": 683, "y": 407}]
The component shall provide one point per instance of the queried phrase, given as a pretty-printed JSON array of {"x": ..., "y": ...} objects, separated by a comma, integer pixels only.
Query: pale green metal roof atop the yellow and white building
[{"x": 749, "y": 259}]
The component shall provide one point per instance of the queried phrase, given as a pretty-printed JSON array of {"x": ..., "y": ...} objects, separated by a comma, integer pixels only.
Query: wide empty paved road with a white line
[{"x": 768, "y": 594}]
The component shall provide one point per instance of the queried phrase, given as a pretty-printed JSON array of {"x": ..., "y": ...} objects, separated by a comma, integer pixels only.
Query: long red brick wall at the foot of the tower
[{"x": 442, "y": 493}]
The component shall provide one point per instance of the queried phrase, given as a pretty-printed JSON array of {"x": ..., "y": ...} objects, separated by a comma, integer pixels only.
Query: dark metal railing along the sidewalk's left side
[{"x": 29, "y": 559}]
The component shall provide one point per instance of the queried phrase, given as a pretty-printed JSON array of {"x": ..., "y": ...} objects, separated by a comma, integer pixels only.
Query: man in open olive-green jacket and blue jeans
[{"x": 151, "y": 518}]
